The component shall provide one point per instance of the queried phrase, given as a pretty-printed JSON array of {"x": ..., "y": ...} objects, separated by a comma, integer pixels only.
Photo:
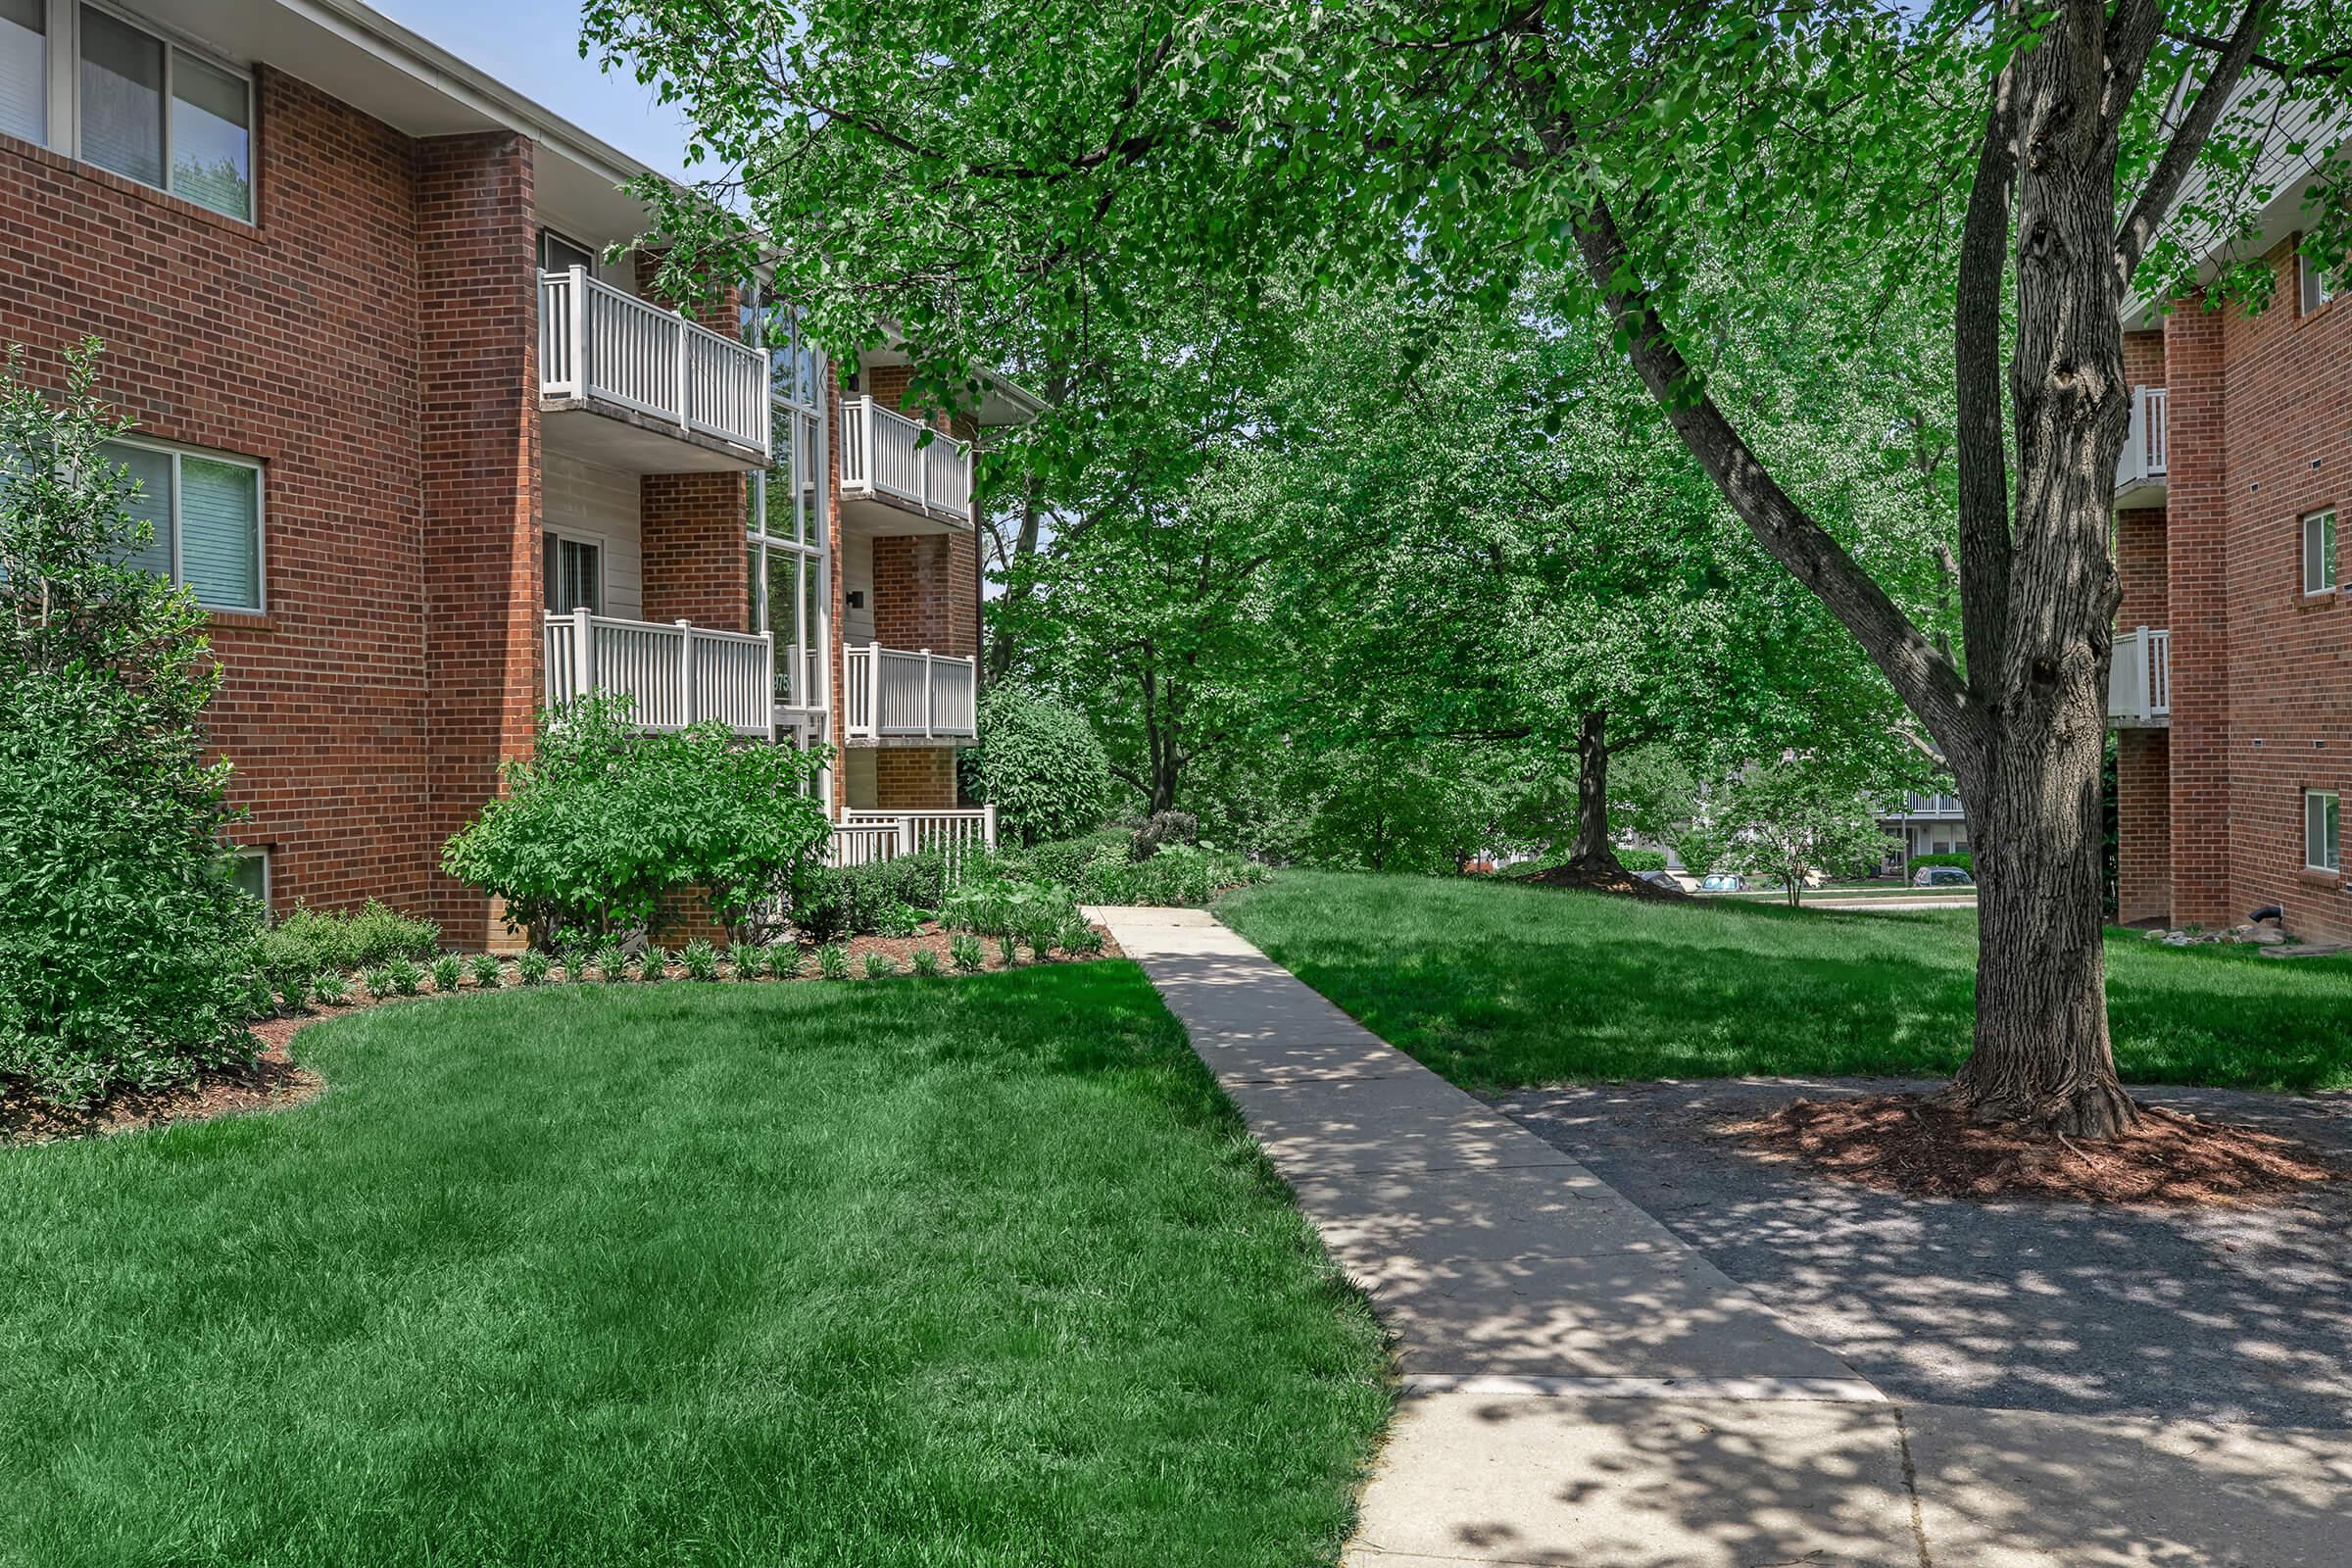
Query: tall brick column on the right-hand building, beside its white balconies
[{"x": 2198, "y": 523}]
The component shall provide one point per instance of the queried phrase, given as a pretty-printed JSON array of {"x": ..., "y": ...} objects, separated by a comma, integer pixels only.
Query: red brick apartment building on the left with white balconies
[{"x": 432, "y": 462}]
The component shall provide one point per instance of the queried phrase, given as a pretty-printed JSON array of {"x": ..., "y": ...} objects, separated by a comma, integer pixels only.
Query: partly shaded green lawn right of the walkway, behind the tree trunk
[{"x": 1497, "y": 986}]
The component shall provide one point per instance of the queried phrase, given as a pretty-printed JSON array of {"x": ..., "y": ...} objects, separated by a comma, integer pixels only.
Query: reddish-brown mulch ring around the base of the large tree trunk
[{"x": 1927, "y": 1148}]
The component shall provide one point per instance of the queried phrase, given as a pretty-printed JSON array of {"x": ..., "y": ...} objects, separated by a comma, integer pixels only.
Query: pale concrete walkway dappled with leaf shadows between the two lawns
[{"x": 1582, "y": 1391}]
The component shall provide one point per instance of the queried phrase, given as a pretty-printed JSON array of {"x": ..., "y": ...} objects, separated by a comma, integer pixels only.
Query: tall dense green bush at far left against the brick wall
[{"x": 126, "y": 951}]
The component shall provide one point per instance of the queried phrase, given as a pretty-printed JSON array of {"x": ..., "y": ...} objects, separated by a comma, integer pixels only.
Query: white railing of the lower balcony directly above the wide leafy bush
[{"x": 674, "y": 674}]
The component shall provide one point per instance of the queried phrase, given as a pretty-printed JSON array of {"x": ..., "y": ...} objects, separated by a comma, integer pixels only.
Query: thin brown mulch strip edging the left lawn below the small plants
[{"x": 274, "y": 1083}]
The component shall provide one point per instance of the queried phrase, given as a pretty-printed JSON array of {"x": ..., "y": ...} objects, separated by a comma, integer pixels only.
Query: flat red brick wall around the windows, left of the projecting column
[{"x": 295, "y": 342}]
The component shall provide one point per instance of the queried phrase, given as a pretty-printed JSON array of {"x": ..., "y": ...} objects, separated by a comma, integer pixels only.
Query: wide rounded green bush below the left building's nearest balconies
[{"x": 606, "y": 822}]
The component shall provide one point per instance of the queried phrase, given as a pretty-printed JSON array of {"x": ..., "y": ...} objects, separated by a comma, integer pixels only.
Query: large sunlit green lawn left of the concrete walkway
[{"x": 930, "y": 1273}]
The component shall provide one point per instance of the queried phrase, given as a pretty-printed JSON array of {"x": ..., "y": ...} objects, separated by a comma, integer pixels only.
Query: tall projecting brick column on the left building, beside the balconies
[{"x": 479, "y": 401}]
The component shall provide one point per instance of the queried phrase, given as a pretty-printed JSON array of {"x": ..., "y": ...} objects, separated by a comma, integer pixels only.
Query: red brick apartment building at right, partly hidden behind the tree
[{"x": 2233, "y": 657}]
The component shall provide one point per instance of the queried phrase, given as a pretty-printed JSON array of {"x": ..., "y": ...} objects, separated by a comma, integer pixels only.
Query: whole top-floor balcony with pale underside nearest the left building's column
[{"x": 634, "y": 387}]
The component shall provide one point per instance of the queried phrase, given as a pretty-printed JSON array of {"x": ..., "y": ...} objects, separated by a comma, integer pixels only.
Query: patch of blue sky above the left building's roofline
[{"x": 533, "y": 46}]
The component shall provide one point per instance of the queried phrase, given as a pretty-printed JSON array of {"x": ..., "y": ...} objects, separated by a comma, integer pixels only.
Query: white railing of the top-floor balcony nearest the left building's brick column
[{"x": 599, "y": 344}]
